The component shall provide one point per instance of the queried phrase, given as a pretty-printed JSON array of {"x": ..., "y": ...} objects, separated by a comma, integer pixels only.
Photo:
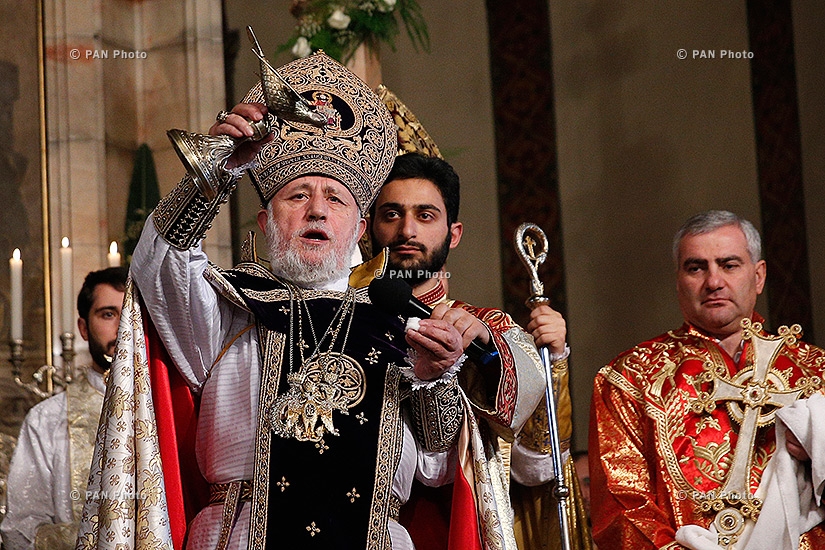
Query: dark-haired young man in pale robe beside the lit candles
[{"x": 46, "y": 487}]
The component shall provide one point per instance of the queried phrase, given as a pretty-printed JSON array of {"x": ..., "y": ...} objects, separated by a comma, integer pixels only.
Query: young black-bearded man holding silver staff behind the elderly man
[{"x": 416, "y": 217}]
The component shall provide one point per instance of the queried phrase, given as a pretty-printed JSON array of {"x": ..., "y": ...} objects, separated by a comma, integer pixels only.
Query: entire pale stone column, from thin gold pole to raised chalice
[{"x": 120, "y": 74}]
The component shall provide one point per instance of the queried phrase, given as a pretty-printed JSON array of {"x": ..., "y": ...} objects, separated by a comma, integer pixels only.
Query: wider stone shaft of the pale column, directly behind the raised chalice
[{"x": 179, "y": 83}]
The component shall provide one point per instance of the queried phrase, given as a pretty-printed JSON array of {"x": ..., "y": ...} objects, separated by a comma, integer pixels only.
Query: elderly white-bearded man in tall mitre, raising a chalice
[{"x": 316, "y": 410}]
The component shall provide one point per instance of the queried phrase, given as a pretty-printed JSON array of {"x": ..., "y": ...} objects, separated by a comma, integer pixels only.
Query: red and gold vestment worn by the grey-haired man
[{"x": 659, "y": 444}]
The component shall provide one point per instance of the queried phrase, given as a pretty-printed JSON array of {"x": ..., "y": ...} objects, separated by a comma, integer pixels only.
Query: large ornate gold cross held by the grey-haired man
[{"x": 753, "y": 396}]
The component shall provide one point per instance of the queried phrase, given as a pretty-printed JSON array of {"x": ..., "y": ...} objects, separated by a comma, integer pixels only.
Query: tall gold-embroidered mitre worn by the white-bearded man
[{"x": 357, "y": 146}]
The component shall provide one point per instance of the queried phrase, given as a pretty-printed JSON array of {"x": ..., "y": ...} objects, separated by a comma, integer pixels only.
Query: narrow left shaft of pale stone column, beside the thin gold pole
[{"x": 76, "y": 143}]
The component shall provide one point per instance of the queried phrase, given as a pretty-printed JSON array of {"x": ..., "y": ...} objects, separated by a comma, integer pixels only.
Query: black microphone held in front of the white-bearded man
[{"x": 394, "y": 296}]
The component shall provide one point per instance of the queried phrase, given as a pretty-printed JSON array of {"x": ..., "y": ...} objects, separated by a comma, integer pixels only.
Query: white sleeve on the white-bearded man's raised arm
[{"x": 185, "y": 308}]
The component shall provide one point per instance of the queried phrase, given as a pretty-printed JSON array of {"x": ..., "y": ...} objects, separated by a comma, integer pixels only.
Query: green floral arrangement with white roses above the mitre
[{"x": 339, "y": 26}]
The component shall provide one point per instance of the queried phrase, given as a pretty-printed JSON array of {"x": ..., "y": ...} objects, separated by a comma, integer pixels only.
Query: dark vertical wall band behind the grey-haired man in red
[{"x": 779, "y": 162}]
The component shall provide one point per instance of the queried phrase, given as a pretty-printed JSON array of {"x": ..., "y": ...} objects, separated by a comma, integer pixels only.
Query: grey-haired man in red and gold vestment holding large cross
[{"x": 682, "y": 427}]
